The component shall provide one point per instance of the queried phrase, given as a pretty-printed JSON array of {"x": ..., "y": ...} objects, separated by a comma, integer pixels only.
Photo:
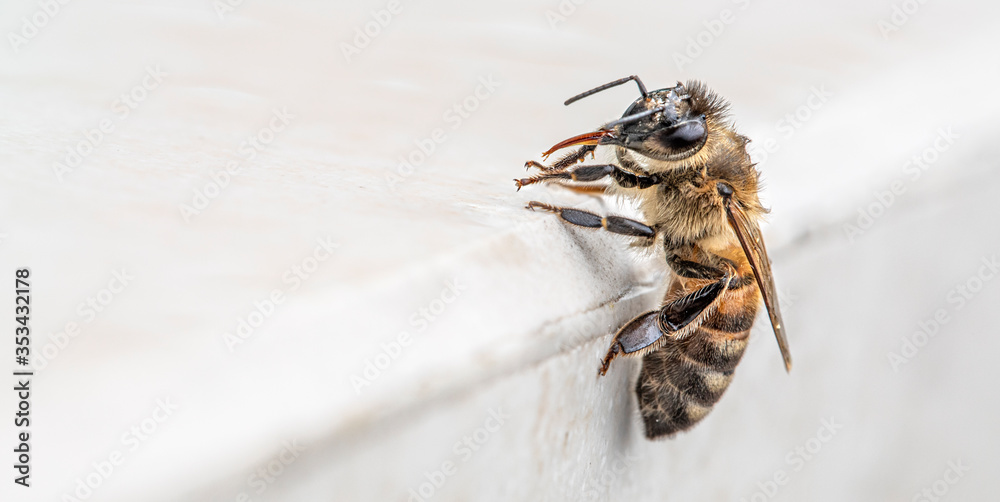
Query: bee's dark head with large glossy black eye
[{"x": 663, "y": 125}]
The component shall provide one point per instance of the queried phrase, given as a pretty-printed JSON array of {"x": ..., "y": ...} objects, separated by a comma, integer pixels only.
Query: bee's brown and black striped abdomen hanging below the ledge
[{"x": 681, "y": 381}]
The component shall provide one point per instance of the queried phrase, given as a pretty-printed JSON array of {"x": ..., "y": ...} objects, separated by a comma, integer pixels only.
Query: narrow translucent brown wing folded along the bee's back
[{"x": 753, "y": 246}]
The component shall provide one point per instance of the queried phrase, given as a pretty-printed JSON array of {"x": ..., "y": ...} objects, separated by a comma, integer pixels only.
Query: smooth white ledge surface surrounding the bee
[{"x": 525, "y": 334}]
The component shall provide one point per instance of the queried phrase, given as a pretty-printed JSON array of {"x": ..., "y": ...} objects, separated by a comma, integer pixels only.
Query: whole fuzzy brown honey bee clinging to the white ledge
[{"x": 680, "y": 158}]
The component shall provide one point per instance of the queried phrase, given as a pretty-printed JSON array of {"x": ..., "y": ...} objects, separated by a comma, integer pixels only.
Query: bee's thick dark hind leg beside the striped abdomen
[{"x": 670, "y": 320}]
